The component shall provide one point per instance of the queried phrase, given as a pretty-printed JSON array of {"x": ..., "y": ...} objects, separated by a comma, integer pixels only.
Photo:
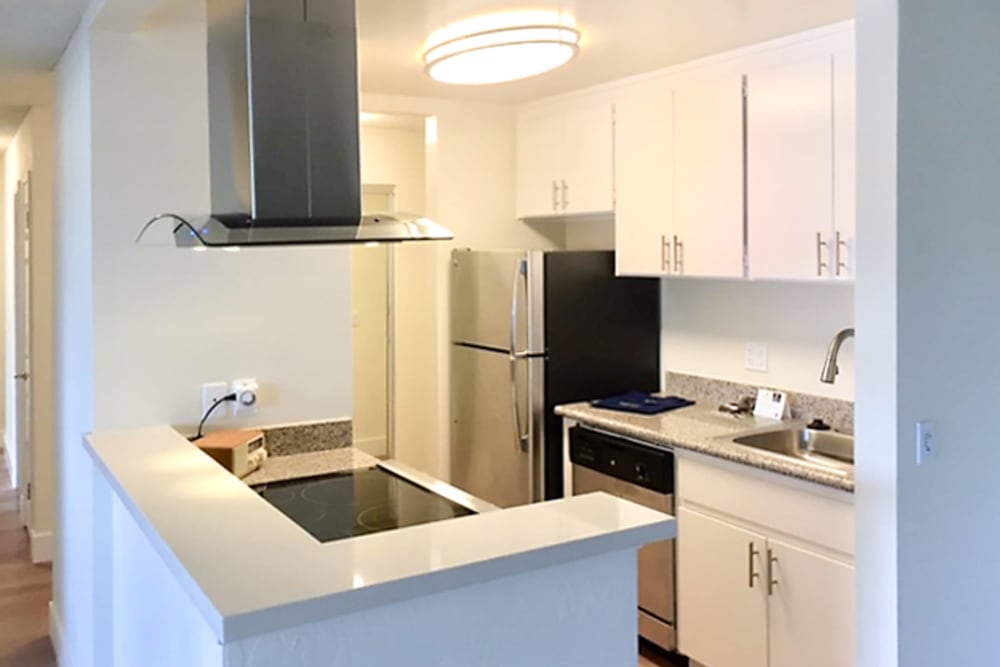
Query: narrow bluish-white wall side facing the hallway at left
[{"x": 73, "y": 613}]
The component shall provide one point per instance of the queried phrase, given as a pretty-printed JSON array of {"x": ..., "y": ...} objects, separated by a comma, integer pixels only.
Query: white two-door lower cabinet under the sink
[{"x": 755, "y": 587}]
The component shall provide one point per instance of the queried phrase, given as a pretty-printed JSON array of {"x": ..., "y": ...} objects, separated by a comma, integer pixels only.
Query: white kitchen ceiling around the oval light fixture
[{"x": 620, "y": 38}]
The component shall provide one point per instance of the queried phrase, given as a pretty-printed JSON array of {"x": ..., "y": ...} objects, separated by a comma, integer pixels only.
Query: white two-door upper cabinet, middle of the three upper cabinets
[{"x": 679, "y": 176}]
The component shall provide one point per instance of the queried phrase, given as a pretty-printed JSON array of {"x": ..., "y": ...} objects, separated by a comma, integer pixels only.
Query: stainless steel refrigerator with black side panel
[{"x": 531, "y": 330}]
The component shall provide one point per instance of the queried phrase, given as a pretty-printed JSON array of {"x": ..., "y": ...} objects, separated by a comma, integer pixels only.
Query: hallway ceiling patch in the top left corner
[{"x": 33, "y": 33}]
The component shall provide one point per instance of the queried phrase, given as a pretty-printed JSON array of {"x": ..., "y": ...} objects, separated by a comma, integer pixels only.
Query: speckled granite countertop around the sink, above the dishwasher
[{"x": 704, "y": 431}]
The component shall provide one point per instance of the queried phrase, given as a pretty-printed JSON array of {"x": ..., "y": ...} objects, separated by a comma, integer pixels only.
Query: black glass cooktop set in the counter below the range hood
[{"x": 358, "y": 502}]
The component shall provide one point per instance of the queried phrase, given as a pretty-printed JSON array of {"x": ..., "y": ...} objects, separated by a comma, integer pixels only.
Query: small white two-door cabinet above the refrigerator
[{"x": 564, "y": 159}]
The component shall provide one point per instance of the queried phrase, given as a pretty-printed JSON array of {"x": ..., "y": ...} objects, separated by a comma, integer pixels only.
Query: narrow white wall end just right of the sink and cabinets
[{"x": 878, "y": 390}]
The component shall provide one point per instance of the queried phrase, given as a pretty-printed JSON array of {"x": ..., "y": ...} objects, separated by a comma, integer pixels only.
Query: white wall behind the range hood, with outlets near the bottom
[{"x": 167, "y": 320}]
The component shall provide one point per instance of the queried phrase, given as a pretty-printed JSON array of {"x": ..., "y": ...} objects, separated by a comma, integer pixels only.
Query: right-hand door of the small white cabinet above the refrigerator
[{"x": 587, "y": 179}]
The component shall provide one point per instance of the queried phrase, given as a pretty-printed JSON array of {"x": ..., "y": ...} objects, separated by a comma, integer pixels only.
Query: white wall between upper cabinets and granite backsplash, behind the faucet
[{"x": 707, "y": 323}]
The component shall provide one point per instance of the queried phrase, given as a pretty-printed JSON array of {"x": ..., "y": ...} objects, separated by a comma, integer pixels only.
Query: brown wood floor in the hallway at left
[{"x": 25, "y": 591}]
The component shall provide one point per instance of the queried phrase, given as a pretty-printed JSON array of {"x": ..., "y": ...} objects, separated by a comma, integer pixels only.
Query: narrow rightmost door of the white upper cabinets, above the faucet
[{"x": 844, "y": 161}]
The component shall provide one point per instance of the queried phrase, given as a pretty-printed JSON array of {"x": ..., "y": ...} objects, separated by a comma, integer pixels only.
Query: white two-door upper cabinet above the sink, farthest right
[{"x": 801, "y": 162}]
